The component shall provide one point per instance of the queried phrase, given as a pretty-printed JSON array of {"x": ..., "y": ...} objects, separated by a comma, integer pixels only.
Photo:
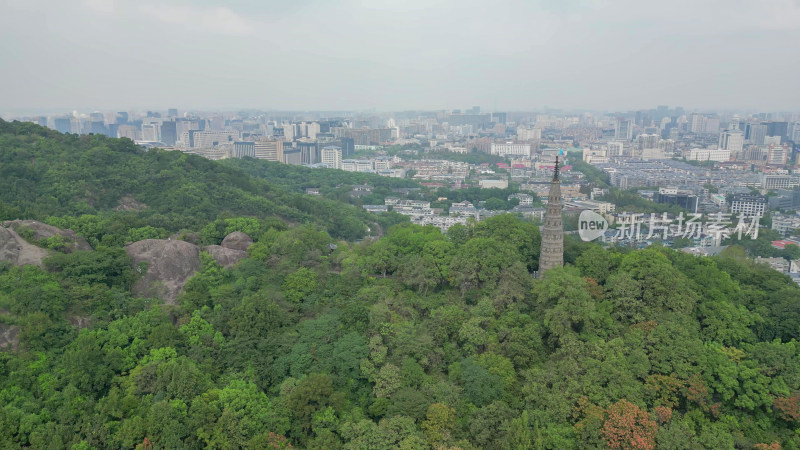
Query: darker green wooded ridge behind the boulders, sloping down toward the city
[{"x": 44, "y": 173}]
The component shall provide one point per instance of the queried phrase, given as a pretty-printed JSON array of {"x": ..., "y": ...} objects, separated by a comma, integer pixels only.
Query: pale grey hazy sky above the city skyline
[{"x": 395, "y": 55}]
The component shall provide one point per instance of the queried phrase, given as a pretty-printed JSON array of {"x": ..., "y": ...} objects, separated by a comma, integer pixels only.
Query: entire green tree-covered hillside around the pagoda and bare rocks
[{"x": 417, "y": 340}]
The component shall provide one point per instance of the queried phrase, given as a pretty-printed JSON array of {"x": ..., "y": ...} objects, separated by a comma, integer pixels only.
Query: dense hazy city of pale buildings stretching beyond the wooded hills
[{"x": 738, "y": 170}]
